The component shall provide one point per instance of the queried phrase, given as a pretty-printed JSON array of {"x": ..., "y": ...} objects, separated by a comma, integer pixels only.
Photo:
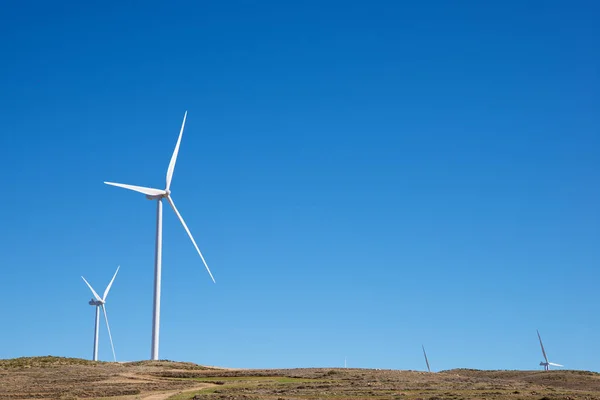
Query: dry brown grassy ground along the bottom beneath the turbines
[{"x": 60, "y": 378}]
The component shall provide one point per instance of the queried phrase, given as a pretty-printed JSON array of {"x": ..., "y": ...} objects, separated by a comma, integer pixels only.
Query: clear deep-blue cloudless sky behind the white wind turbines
[{"x": 362, "y": 177}]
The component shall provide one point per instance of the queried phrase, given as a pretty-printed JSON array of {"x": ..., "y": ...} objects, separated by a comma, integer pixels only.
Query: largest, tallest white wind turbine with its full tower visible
[{"x": 159, "y": 195}]
